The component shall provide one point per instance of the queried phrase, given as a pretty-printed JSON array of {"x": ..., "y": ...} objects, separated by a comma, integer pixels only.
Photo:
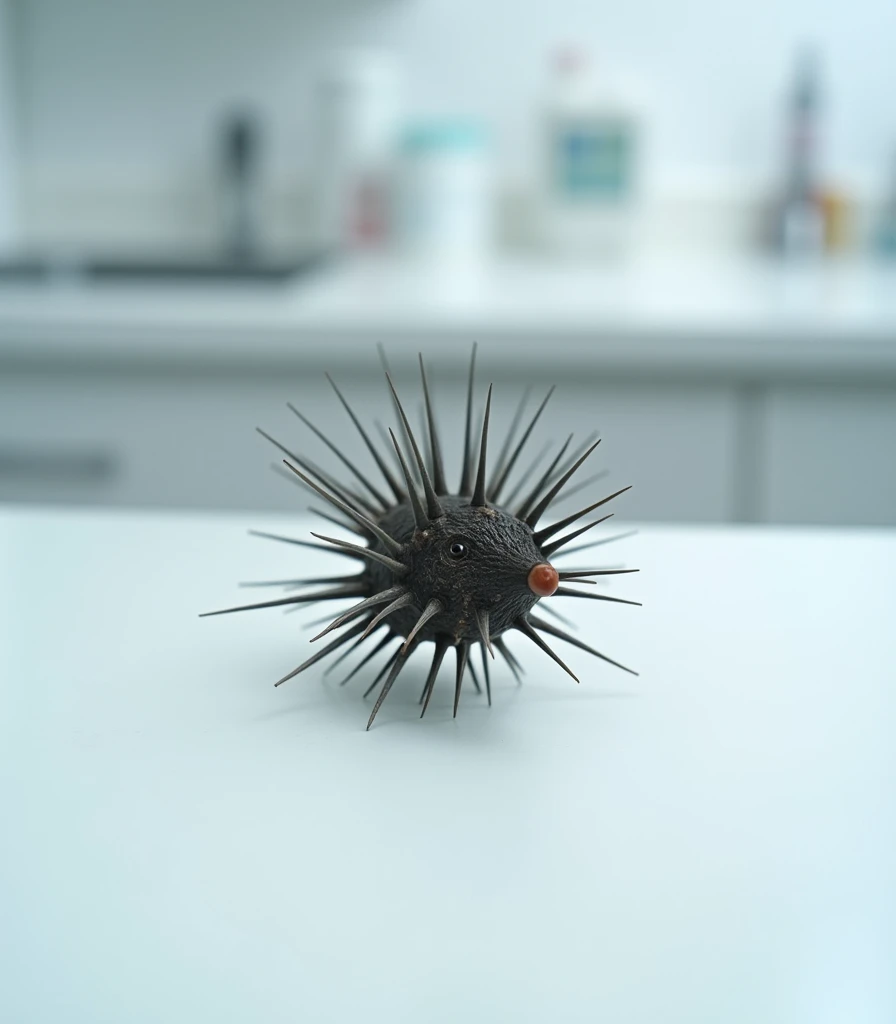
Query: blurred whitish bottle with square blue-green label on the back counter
[{"x": 591, "y": 157}]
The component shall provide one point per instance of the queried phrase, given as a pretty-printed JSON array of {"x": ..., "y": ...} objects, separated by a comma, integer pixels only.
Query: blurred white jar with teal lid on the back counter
[{"x": 445, "y": 198}]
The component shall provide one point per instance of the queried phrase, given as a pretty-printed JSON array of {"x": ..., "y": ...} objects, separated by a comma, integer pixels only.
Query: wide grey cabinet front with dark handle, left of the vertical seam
[{"x": 188, "y": 441}]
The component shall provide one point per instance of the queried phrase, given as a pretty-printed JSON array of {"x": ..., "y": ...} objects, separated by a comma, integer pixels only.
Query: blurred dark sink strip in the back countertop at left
[{"x": 158, "y": 270}]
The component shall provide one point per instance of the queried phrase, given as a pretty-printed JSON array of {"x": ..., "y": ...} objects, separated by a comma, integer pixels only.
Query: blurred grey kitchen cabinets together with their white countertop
[{"x": 720, "y": 393}]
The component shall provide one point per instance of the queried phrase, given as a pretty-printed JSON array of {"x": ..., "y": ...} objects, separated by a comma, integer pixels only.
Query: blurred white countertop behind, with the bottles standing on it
[{"x": 671, "y": 312}]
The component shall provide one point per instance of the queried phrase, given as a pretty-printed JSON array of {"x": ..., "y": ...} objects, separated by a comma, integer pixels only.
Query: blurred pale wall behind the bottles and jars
[{"x": 118, "y": 91}]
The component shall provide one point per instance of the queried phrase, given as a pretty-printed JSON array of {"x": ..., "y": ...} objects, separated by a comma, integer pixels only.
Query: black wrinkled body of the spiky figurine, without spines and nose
[{"x": 501, "y": 552}]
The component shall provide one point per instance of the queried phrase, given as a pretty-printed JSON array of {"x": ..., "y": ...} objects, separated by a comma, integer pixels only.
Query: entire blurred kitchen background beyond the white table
[{"x": 682, "y": 214}]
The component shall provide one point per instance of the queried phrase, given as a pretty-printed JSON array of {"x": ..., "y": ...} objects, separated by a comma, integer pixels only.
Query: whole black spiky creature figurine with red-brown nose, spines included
[{"x": 454, "y": 569}]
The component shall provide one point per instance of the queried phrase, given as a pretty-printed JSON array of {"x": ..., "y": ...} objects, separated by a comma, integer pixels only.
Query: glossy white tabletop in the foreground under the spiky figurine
[{"x": 712, "y": 841}]
